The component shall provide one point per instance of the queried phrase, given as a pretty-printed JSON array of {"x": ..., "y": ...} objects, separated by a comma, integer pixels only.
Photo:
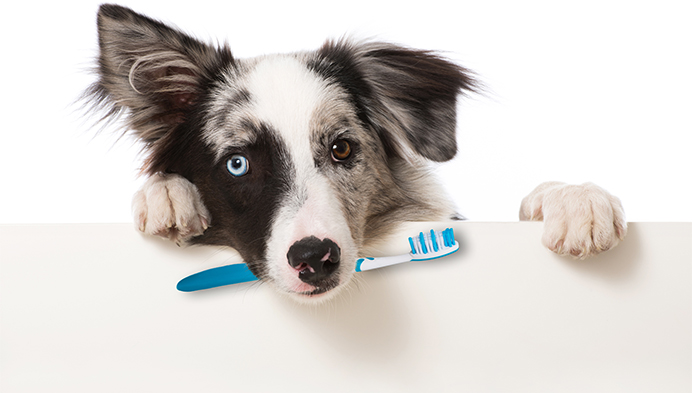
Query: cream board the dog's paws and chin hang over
[{"x": 93, "y": 308}]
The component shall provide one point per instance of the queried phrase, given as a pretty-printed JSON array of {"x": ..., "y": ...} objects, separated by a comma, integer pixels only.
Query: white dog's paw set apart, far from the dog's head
[{"x": 580, "y": 220}]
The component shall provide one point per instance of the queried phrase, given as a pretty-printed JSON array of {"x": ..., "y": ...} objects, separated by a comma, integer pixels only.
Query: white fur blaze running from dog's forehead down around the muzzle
[{"x": 288, "y": 96}]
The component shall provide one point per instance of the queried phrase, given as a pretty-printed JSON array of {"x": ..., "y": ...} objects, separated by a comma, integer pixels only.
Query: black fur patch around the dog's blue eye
[{"x": 242, "y": 208}]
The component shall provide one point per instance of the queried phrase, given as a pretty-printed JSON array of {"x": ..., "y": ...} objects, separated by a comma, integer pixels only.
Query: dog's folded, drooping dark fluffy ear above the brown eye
[{"x": 409, "y": 96}]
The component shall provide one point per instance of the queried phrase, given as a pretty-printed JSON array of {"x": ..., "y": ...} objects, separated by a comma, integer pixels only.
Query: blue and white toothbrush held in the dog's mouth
[{"x": 425, "y": 246}]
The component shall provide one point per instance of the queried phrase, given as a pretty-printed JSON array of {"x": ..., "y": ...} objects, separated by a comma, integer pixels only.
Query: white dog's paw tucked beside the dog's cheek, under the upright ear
[{"x": 169, "y": 206}]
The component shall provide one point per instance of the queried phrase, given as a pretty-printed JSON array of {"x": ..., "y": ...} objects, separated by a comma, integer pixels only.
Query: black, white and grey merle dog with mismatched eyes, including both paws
[{"x": 301, "y": 161}]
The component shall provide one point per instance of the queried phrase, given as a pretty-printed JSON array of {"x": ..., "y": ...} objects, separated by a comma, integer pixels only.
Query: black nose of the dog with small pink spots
[{"x": 314, "y": 259}]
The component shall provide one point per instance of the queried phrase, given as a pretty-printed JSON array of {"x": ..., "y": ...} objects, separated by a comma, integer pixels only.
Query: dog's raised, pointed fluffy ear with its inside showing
[{"x": 154, "y": 71}]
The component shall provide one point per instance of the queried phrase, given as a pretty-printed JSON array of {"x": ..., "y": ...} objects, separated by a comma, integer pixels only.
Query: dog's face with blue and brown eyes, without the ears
[{"x": 292, "y": 169}]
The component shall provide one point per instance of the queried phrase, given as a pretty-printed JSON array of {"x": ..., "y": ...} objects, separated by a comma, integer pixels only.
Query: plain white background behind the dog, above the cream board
[{"x": 589, "y": 91}]
